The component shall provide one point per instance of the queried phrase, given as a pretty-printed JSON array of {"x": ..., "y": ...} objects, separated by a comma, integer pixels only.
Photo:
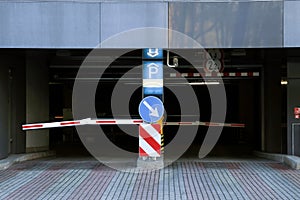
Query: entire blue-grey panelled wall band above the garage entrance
[{"x": 84, "y": 24}]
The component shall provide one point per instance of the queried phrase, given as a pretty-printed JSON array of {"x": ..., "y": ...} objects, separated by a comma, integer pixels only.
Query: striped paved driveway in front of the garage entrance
[{"x": 187, "y": 179}]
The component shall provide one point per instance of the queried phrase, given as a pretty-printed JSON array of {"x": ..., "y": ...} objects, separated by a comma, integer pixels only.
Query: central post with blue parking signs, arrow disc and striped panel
[{"x": 151, "y": 107}]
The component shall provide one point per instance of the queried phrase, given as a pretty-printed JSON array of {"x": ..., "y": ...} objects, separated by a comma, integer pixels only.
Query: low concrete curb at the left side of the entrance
[{"x": 15, "y": 158}]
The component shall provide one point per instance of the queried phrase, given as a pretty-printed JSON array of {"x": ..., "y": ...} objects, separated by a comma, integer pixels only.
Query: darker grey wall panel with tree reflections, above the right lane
[{"x": 230, "y": 24}]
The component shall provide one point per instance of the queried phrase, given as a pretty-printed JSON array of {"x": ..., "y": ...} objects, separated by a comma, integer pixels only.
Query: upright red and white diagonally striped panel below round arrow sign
[{"x": 149, "y": 140}]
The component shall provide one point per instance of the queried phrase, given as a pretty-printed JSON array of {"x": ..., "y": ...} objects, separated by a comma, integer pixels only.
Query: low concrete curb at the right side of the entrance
[{"x": 291, "y": 161}]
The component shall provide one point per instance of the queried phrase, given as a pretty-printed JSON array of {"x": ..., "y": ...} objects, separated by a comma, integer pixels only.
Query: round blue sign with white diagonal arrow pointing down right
[{"x": 151, "y": 109}]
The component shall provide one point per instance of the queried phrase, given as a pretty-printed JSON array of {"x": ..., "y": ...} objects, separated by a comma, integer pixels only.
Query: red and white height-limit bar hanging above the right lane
[{"x": 216, "y": 74}]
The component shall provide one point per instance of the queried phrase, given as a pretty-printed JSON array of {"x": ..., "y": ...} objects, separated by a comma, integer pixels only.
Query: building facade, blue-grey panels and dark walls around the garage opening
[{"x": 32, "y": 31}]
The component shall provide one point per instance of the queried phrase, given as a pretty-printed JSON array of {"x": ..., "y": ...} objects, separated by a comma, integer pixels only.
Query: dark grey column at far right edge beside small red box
[{"x": 293, "y": 100}]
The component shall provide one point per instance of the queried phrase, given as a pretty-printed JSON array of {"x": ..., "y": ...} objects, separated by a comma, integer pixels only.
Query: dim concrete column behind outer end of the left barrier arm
[{"x": 37, "y": 100}]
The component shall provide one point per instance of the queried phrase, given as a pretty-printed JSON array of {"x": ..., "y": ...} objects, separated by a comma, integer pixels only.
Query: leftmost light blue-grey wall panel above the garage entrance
[{"x": 49, "y": 25}]
